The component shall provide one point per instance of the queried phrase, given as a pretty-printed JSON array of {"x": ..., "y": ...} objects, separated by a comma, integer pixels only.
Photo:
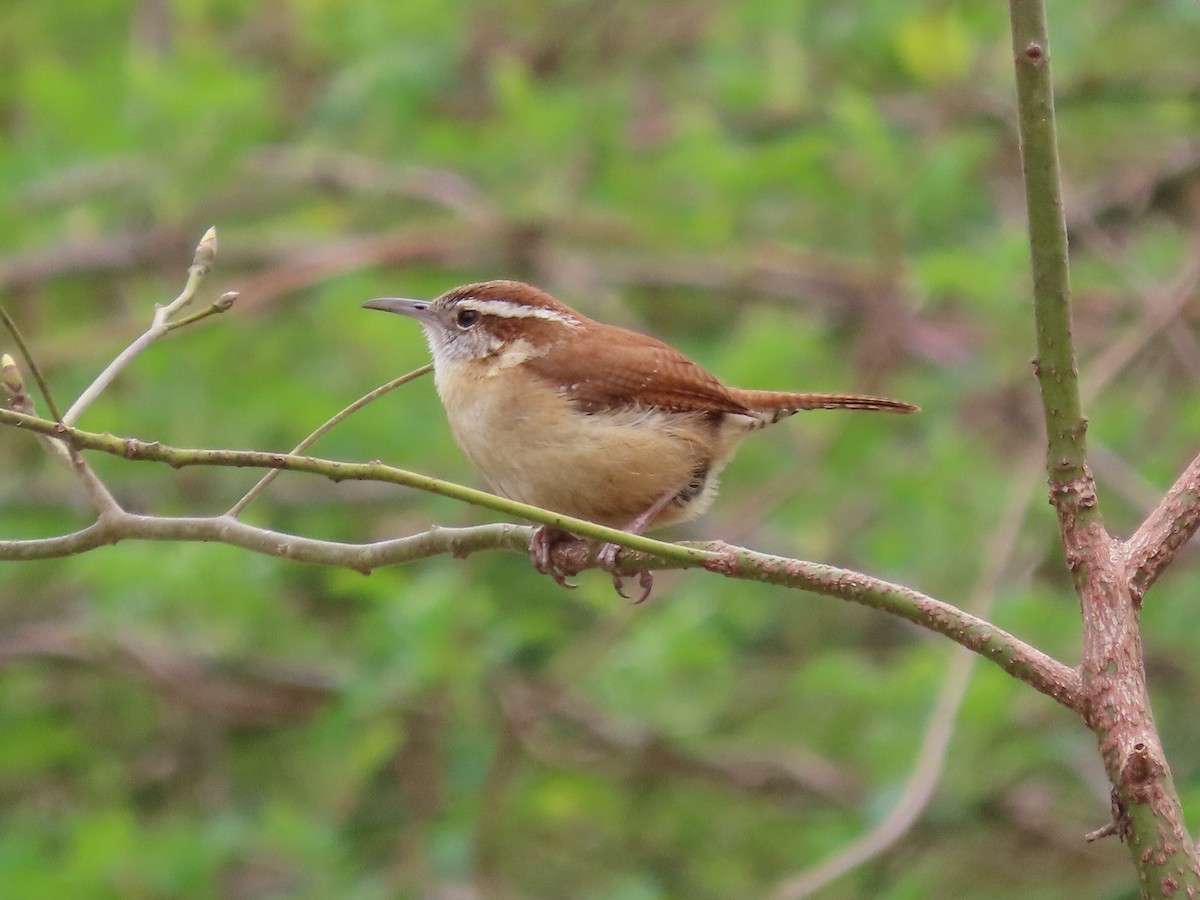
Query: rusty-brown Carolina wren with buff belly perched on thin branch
[{"x": 586, "y": 419}]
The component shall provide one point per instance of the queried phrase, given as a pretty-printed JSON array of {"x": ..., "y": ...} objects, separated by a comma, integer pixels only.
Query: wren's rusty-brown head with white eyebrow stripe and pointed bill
[{"x": 485, "y": 320}]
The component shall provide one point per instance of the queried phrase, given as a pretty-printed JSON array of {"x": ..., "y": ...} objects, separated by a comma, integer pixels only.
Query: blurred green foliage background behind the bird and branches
[{"x": 801, "y": 195}]
